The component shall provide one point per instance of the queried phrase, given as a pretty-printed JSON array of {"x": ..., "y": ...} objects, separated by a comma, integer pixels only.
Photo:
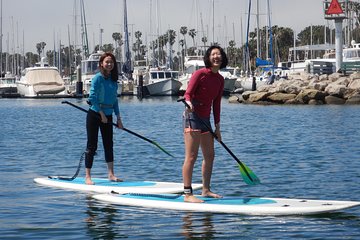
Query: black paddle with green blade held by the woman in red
[{"x": 248, "y": 176}]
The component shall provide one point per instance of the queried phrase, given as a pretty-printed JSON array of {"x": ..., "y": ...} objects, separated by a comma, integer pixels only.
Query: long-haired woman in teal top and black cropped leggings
[{"x": 104, "y": 102}]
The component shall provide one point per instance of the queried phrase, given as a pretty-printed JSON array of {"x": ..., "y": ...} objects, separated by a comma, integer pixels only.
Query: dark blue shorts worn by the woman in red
[{"x": 193, "y": 123}]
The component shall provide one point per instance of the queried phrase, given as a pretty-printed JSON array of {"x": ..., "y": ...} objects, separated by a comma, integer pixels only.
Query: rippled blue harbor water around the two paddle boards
[{"x": 297, "y": 152}]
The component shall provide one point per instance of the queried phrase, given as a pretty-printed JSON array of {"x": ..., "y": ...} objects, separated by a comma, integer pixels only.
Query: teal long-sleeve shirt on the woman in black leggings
[{"x": 103, "y": 95}]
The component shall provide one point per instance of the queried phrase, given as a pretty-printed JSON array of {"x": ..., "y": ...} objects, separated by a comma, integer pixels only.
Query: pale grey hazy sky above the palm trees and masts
[{"x": 28, "y": 22}]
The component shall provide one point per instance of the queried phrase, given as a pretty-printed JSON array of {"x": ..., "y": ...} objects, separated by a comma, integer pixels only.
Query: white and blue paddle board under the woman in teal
[{"x": 106, "y": 186}]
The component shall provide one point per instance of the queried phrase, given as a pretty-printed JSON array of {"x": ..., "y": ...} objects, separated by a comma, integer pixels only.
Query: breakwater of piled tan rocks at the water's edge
[{"x": 305, "y": 88}]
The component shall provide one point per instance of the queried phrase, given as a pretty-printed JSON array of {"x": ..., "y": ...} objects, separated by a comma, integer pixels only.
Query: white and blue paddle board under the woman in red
[{"x": 247, "y": 206}]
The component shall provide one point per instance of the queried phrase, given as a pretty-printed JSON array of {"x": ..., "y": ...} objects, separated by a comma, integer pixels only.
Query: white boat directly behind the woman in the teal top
[{"x": 90, "y": 67}]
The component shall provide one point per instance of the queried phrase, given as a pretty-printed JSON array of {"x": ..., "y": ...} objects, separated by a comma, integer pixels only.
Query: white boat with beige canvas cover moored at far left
[{"x": 41, "y": 80}]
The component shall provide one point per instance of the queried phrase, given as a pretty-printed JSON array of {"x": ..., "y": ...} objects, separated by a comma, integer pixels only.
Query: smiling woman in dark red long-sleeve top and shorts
[{"x": 204, "y": 92}]
